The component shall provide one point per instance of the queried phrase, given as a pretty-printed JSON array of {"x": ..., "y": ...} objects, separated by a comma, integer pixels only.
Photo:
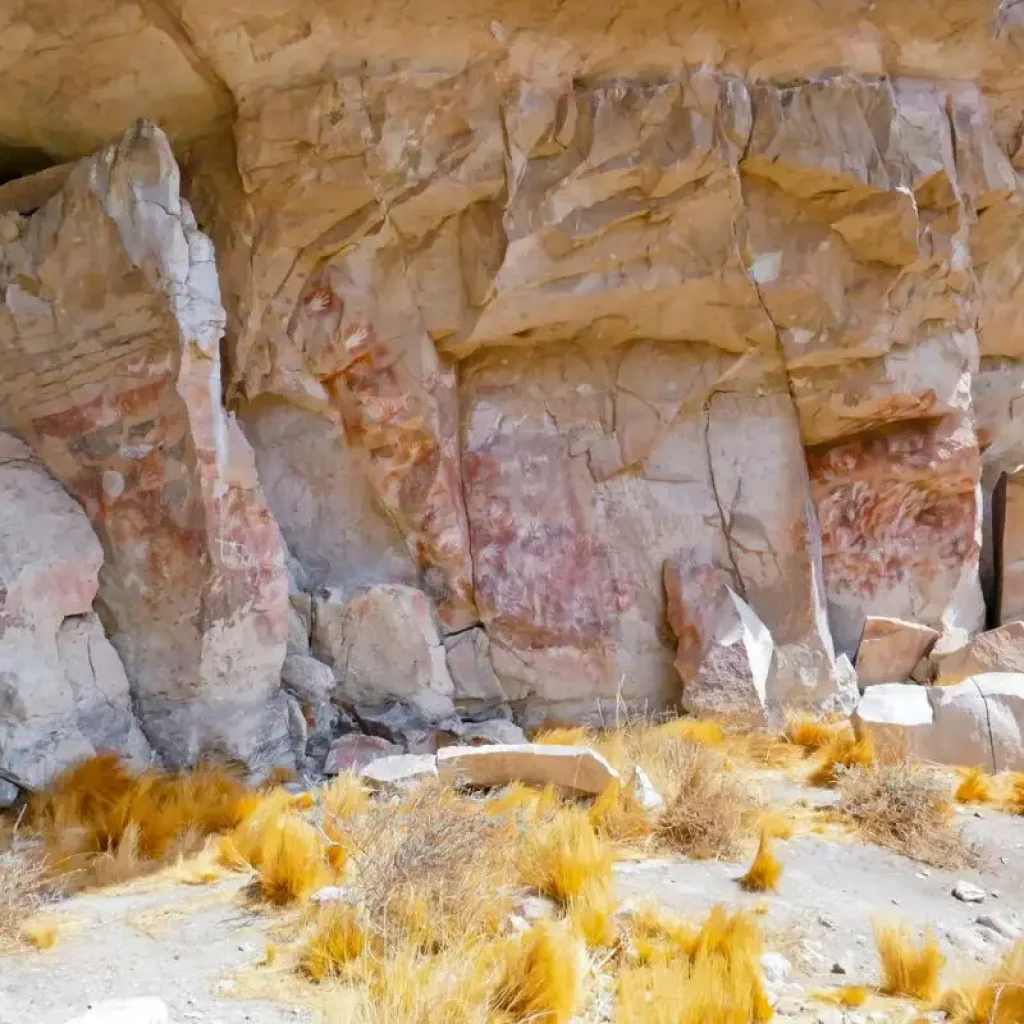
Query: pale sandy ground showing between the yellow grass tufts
[{"x": 185, "y": 944}]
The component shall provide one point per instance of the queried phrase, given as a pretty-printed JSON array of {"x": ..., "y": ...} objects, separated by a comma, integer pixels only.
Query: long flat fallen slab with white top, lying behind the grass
[{"x": 576, "y": 770}]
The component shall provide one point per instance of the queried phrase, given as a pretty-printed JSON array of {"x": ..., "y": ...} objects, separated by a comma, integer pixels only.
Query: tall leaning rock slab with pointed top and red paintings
[{"x": 110, "y": 330}]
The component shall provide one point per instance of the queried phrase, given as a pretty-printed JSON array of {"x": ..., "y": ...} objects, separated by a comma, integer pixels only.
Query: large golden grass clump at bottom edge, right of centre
[{"x": 718, "y": 983}]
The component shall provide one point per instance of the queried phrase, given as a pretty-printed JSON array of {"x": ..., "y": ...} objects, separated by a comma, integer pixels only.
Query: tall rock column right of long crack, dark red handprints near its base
[{"x": 860, "y": 247}]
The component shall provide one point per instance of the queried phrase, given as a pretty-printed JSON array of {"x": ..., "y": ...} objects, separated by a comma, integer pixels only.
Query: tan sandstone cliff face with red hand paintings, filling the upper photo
[{"x": 537, "y": 312}]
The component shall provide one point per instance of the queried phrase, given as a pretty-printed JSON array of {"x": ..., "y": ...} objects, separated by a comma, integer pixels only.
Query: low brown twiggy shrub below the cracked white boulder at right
[{"x": 907, "y": 810}]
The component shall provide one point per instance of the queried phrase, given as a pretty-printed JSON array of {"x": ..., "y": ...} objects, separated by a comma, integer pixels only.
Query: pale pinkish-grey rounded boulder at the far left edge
[{"x": 64, "y": 695}]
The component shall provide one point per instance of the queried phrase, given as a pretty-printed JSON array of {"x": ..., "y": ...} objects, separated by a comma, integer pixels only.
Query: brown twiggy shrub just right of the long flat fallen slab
[{"x": 710, "y": 812}]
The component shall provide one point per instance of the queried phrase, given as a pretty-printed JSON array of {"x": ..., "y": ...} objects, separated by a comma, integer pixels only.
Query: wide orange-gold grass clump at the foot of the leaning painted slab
[{"x": 106, "y": 825}]
